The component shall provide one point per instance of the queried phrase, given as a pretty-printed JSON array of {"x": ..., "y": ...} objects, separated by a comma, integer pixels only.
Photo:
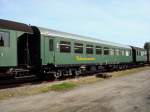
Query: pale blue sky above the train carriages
[{"x": 122, "y": 21}]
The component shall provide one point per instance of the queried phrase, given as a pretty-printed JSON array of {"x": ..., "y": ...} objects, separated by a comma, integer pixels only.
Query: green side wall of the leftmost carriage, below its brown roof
[{"x": 8, "y": 52}]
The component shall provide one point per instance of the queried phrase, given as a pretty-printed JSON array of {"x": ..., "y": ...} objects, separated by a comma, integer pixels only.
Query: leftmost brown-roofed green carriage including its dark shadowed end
[{"x": 17, "y": 50}]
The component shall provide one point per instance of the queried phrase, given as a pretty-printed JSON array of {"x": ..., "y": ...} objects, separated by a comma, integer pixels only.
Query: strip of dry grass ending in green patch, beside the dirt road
[{"x": 33, "y": 90}]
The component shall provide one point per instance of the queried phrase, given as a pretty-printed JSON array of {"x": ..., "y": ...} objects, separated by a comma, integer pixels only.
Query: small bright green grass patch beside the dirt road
[{"x": 63, "y": 86}]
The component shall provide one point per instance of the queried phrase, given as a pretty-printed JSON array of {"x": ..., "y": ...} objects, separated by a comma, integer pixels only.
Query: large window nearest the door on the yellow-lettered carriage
[{"x": 65, "y": 47}]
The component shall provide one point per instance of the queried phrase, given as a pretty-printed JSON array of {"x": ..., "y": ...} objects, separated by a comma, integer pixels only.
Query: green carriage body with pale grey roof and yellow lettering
[{"x": 64, "y": 49}]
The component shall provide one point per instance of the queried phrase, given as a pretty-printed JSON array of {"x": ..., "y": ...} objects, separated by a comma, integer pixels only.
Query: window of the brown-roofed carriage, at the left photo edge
[{"x": 4, "y": 39}]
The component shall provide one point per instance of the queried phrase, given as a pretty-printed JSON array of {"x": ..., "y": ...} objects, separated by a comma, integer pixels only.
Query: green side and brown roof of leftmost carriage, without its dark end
[{"x": 10, "y": 33}]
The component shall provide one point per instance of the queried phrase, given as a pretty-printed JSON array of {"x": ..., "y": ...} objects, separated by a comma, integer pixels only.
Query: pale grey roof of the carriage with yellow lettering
[{"x": 52, "y": 32}]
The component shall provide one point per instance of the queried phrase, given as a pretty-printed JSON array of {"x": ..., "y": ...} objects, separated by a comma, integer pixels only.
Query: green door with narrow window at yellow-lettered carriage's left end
[{"x": 49, "y": 50}]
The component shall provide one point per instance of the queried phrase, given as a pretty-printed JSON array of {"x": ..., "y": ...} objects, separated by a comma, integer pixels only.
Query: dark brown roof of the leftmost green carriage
[{"x": 10, "y": 25}]
